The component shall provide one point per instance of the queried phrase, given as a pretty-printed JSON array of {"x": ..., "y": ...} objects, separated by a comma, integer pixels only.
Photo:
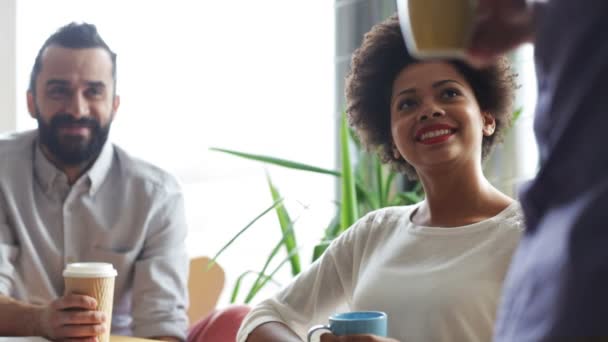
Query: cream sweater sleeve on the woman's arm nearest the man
[{"x": 315, "y": 293}]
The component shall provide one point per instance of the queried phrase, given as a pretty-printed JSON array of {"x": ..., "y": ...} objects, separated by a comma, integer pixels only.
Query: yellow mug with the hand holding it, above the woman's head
[{"x": 474, "y": 30}]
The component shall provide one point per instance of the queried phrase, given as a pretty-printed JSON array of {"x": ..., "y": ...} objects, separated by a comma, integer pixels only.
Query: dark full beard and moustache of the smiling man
[{"x": 72, "y": 150}]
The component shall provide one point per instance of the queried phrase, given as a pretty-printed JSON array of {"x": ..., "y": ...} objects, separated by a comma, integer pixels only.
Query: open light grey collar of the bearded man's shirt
[{"x": 49, "y": 175}]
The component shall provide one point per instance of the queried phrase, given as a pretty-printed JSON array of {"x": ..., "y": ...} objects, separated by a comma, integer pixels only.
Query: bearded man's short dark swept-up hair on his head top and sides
[{"x": 72, "y": 36}]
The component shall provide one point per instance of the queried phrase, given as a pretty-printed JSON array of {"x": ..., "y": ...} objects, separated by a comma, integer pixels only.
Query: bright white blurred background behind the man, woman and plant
[{"x": 263, "y": 77}]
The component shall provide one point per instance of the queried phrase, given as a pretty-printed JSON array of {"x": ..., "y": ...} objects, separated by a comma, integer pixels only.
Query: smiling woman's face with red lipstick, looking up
[{"x": 435, "y": 117}]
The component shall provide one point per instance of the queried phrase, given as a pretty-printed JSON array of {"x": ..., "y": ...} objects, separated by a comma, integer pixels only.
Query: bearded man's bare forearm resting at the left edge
[{"x": 19, "y": 318}]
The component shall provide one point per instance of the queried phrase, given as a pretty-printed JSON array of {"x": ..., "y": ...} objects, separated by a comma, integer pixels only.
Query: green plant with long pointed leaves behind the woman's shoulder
[{"x": 365, "y": 185}]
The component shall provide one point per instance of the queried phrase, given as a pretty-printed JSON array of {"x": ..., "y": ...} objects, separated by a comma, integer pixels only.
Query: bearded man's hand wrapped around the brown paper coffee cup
[{"x": 72, "y": 317}]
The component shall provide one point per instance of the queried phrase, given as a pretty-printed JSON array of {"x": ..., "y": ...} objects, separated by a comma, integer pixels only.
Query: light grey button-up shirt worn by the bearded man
[{"x": 122, "y": 211}]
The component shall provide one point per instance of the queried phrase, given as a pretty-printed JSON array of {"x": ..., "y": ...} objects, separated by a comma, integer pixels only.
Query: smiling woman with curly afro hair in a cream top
[{"x": 439, "y": 263}]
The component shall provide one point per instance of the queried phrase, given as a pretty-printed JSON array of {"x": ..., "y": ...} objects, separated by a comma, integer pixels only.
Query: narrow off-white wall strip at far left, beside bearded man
[{"x": 8, "y": 97}]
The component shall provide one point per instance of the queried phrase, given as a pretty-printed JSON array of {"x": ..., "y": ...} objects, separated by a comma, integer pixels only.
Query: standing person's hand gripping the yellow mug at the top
[{"x": 501, "y": 25}]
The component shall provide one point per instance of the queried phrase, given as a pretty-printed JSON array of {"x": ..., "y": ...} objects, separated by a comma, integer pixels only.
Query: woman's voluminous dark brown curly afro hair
[{"x": 376, "y": 64}]
